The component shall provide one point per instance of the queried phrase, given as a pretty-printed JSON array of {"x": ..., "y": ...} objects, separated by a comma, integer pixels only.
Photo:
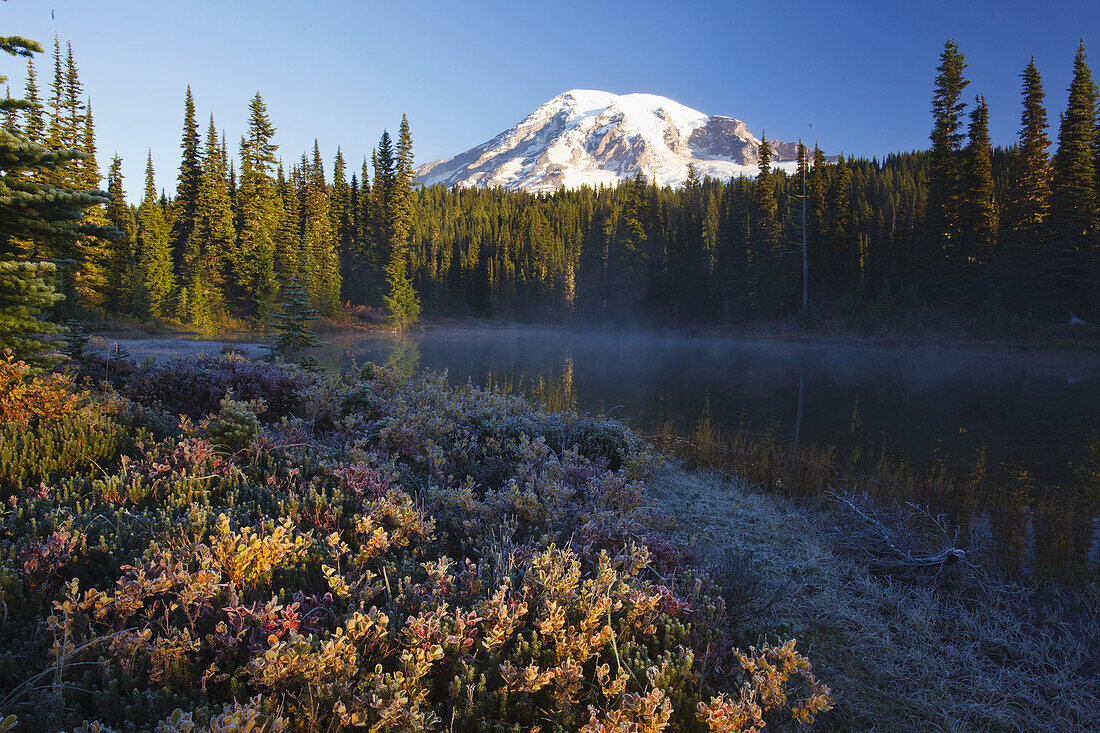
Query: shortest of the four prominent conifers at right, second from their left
[{"x": 977, "y": 212}]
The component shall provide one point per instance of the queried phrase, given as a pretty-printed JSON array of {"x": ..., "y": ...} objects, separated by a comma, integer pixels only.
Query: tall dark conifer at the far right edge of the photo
[{"x": 1072, "y": 264}]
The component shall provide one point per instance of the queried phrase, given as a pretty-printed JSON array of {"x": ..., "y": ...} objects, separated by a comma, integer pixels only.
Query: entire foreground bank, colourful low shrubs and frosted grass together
[{"x": 225, "y": 570}]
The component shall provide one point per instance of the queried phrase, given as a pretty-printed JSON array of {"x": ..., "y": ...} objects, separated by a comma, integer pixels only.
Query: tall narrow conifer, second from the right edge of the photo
[{"x": 1030, "y": 188}]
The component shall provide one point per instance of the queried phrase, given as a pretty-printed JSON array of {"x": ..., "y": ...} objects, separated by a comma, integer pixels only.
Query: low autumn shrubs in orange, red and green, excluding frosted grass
[{"x": 216, "y": 544}]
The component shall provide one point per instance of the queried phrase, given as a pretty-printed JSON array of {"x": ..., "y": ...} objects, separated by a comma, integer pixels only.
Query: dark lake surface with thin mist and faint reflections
[{"x": 1020, "y": 429}]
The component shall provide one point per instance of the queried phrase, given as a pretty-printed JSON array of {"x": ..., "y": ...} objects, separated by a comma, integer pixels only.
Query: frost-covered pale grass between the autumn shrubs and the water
[{"x": 959, "y": 651}]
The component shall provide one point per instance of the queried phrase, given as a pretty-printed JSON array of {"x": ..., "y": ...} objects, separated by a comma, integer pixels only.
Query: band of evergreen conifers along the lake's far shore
[{"x": 962, "y": 227}]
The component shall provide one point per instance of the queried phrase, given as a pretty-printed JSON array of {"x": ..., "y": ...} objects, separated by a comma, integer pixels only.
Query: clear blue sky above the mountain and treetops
[{"x": 860, "y": 73}]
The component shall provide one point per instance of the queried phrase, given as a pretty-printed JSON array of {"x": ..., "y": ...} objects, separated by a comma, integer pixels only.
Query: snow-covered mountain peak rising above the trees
[{"x": 592, "y": 138}]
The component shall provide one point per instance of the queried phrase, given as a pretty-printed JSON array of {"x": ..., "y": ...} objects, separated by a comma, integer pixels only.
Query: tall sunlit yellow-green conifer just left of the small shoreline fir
[{"x": 255, "y": 267}]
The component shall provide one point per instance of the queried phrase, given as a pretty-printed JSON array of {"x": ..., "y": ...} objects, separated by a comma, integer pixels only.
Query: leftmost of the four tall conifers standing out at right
[{"x": 945, "y": 160}]
